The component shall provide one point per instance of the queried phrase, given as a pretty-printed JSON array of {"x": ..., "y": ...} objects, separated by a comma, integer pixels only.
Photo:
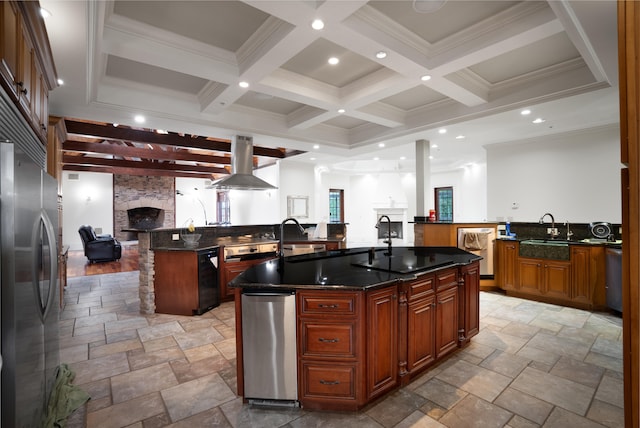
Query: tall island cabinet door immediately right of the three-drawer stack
[{"x": 382, "y": 341}]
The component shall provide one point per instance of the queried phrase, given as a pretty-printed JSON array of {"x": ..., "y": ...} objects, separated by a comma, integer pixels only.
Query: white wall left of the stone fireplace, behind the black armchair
[{"x": 87, "y": 200}]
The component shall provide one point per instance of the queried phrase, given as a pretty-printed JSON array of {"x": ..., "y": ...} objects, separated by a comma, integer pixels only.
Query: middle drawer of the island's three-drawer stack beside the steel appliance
[{"x": 328, "y": 340}]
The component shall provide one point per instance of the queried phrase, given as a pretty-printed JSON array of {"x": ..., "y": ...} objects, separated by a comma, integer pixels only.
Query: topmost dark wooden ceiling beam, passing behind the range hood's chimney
[{"x": 171, "y": 139}]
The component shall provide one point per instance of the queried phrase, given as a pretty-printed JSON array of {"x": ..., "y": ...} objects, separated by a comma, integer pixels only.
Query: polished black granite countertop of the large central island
[{"x": 350, "y": 269}]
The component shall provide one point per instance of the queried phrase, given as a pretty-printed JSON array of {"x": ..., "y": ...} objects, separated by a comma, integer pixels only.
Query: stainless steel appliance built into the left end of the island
[{"x": 269, "y": 348}]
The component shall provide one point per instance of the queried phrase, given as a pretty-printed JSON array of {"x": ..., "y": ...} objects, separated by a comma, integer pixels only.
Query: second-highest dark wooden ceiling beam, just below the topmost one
[{"x": 135, "y": 152}]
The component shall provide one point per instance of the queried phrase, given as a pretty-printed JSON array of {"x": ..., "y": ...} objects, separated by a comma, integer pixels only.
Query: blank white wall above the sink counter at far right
[{"x": 575, "y": 177}]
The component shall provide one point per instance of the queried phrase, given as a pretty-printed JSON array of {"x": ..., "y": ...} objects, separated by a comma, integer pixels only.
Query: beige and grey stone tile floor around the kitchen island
[{"x": 531, "y": 365}]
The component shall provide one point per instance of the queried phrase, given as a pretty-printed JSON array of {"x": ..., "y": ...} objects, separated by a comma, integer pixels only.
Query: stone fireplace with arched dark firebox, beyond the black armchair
[{"x": 142, "y": 203}]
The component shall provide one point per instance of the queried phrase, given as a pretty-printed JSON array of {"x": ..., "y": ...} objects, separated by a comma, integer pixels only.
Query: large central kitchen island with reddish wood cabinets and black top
[{"x": 366, "y": 322}]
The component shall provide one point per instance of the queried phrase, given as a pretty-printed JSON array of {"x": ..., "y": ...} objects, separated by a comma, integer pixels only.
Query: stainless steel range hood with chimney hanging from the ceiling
[{"x": 241, "y": 177}]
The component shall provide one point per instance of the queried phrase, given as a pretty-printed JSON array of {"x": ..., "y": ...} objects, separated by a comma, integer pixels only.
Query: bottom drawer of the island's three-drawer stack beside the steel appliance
[{"x": 329, "y": 381}]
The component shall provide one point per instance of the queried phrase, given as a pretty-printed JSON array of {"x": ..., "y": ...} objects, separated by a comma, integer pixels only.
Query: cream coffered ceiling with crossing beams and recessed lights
[{"x": 179, "y": 63}]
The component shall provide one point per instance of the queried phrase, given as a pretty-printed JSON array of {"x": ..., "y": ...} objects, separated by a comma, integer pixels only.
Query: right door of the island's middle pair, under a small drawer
[{"x": 446, "y": 321}]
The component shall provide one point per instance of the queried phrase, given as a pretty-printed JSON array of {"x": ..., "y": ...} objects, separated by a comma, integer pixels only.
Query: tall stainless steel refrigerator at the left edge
[{"x": 29, "y": 308}]
